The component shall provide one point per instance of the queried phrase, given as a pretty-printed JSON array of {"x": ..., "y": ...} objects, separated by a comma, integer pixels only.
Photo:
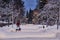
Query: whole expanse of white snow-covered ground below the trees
[{"x": 29, "y": 30}]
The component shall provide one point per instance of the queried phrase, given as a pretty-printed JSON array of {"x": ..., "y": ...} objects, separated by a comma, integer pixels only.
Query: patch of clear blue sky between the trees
[{"x": 30, "y": 4}]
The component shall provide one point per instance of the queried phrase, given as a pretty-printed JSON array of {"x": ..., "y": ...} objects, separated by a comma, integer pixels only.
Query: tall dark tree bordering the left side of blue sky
[{"x": 19, "y": 6}]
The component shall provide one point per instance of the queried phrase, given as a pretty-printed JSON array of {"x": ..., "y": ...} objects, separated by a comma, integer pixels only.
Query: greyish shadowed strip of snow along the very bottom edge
[{"x": 32, "y": 39}]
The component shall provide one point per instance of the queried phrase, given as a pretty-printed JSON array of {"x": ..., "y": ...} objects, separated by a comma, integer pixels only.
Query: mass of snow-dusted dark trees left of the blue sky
[{"x": 14, "y": 8}]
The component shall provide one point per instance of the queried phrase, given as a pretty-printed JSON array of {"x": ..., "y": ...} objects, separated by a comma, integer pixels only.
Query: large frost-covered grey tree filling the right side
[{"x": 51, "y": 11}]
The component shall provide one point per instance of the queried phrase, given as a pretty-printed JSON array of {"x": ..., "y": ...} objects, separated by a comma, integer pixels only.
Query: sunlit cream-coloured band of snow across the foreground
[{"x": 25, "y": 35}]
